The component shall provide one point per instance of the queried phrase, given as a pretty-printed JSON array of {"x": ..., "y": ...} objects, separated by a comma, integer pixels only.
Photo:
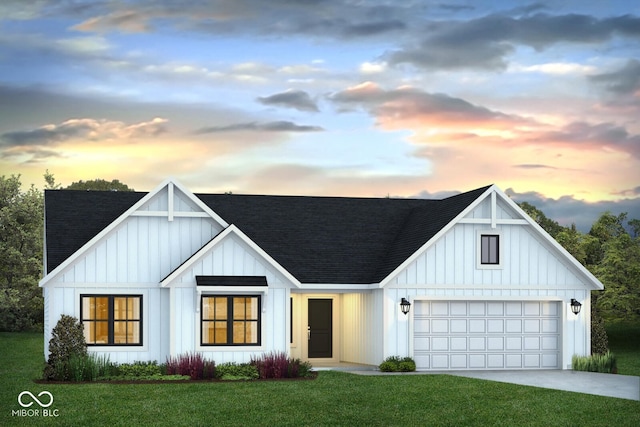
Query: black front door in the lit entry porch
[{"x": 320, "y": 328}]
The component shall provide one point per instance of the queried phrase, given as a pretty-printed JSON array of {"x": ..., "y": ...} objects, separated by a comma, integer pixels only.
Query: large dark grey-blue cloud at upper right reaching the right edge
[{"x": 486, "y": 42}]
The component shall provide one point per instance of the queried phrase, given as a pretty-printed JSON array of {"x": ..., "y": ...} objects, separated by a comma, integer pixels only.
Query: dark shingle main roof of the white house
[{"x": 317, "y": 239}]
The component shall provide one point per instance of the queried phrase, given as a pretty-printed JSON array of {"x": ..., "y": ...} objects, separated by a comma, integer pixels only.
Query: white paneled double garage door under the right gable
[{"x": 487, "y": 335}]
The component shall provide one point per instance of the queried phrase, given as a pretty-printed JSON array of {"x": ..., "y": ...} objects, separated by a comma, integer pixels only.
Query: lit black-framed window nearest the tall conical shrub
[{"x": 112, "y": 319}]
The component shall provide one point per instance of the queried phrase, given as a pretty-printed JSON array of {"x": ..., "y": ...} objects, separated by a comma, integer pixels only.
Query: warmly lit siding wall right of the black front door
[{"x": 362, "y": 327}]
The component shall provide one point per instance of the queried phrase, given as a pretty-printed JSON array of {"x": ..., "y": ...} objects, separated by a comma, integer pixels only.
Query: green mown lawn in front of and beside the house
[{"x": 334, "y": 398}]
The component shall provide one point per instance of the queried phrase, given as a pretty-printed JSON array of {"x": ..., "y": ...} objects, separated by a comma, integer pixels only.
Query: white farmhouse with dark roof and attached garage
[{"x": 465, "y": 282}]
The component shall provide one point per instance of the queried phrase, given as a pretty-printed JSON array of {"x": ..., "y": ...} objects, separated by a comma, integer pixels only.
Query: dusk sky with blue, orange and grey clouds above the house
[{"x": 329, "y": 97}]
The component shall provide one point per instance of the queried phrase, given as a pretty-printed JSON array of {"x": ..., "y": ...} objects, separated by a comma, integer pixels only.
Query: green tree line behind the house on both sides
[{"x": 610, "y": 250}]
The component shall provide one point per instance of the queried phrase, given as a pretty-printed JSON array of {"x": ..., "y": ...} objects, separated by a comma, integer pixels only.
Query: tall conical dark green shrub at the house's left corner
[{"x": 67, "y": 340}]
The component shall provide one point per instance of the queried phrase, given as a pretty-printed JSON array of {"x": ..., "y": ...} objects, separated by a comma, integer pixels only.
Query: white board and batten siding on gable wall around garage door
[{"x": 531, "y": 269}]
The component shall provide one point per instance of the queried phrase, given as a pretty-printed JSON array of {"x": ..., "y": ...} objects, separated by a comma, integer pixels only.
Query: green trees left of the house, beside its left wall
[{"x": 21, "y": 225}]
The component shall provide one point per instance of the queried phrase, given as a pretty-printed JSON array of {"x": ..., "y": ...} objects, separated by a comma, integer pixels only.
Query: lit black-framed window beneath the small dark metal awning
[{"x": 230, "y": 320}]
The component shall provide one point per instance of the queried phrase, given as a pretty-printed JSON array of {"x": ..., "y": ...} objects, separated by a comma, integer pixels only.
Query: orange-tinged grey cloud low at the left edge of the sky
[{"x": 89, "y": 129}]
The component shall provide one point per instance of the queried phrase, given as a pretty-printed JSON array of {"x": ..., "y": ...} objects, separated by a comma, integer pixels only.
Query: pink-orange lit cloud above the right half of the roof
[{"x": 408, "y": 106}]
